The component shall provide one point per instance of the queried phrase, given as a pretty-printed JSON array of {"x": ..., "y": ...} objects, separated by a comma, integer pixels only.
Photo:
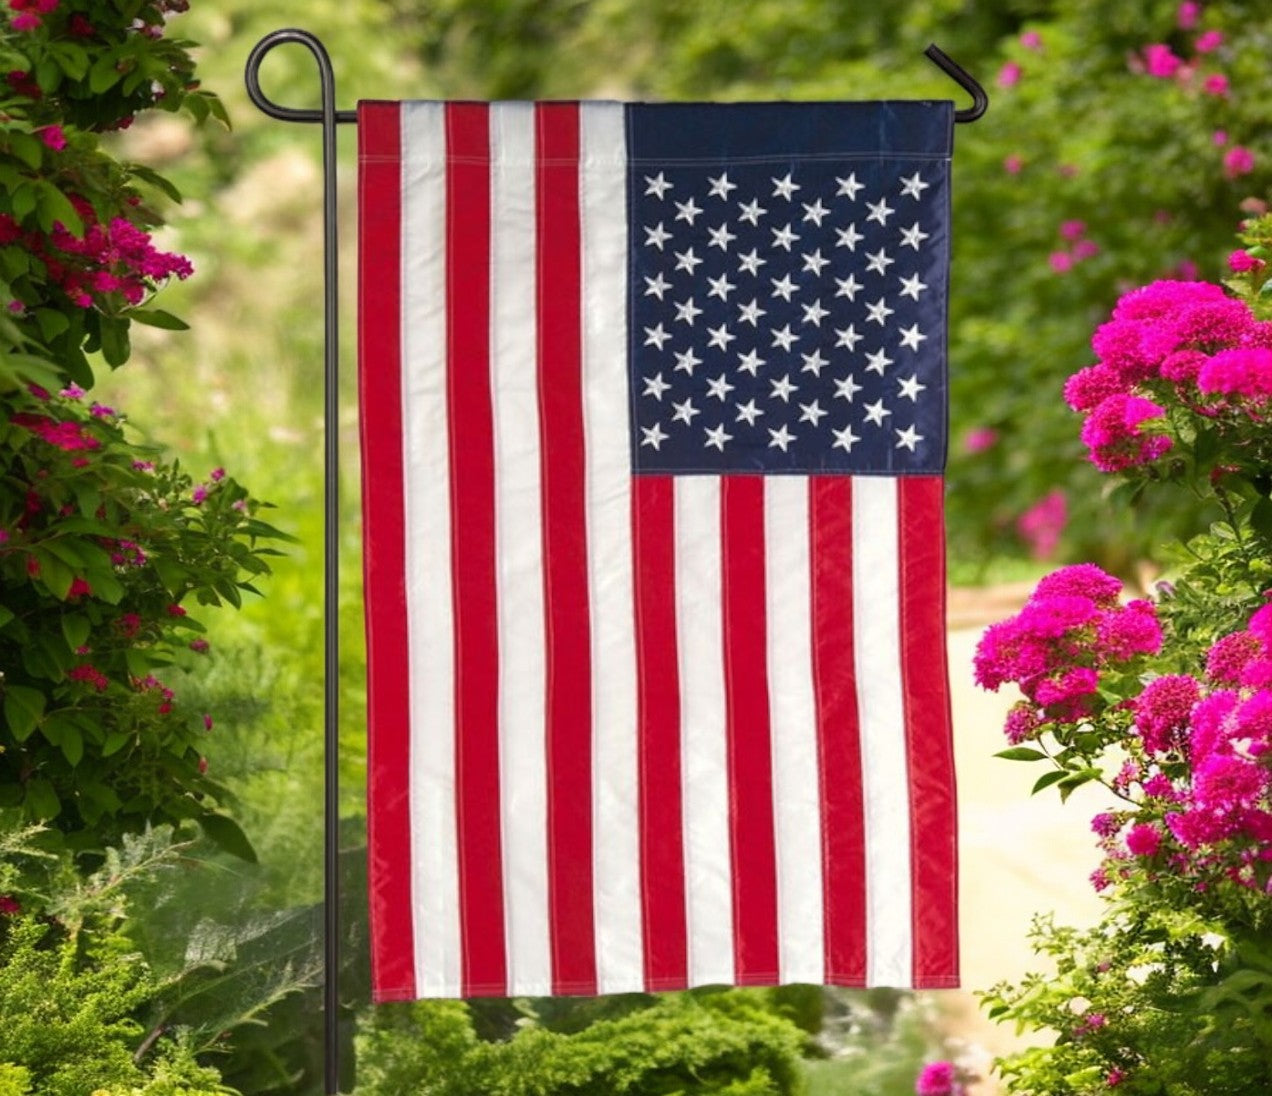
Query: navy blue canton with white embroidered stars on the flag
[{"x": 788, "y": 308}]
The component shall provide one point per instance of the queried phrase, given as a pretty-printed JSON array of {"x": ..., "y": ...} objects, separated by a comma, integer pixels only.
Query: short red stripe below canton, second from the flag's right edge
[{"x": 839, "y": 734}]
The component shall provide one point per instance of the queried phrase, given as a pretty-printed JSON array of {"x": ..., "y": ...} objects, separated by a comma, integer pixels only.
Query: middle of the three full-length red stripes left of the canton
[{"x": 473, "y": 505}]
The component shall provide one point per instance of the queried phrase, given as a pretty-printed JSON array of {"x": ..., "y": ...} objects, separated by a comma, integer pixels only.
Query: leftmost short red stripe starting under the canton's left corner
[{"x": 662, "y": 840}]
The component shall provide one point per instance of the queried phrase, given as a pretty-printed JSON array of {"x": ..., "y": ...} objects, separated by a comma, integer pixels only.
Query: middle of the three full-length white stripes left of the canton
[{"x": 518, "y": 540}]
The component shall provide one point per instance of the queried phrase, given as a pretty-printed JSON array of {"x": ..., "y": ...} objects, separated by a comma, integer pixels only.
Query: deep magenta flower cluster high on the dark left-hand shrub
[{"x": 118, "y": 257}]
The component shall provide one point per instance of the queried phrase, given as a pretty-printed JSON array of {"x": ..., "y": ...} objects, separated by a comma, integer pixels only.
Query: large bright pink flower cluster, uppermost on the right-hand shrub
[{"x": 1184, "y": 340}]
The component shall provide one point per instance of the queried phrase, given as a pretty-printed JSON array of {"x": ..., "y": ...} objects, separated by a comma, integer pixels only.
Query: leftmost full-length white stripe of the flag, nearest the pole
[{"x": 427, "y": 503}]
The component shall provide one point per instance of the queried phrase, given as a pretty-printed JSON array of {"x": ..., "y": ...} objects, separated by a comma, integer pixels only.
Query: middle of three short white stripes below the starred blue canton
[{"x": 793, "y": 715}]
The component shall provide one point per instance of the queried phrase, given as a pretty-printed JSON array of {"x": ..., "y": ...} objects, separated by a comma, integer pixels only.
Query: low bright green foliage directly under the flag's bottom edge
[{"x": 700, "y": 1043}]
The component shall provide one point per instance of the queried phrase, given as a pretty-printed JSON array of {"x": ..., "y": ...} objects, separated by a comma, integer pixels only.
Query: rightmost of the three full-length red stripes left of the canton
[{"x": 565, "y": 549}]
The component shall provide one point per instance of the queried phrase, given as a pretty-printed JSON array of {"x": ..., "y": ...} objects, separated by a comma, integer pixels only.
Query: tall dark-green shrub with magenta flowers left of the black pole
[{"x": 105, "y": 549}]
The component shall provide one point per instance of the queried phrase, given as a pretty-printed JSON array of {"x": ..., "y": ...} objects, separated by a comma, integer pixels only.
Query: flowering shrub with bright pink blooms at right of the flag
[{"x": 1168, "y": 704}]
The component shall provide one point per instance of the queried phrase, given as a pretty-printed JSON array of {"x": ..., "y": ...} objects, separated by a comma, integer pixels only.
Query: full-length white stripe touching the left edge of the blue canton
[{"x": 616, "y": 825}]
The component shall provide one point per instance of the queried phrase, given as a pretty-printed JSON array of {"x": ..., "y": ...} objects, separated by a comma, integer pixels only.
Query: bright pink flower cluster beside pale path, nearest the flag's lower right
[{"x": 1070, "y": 630}]
